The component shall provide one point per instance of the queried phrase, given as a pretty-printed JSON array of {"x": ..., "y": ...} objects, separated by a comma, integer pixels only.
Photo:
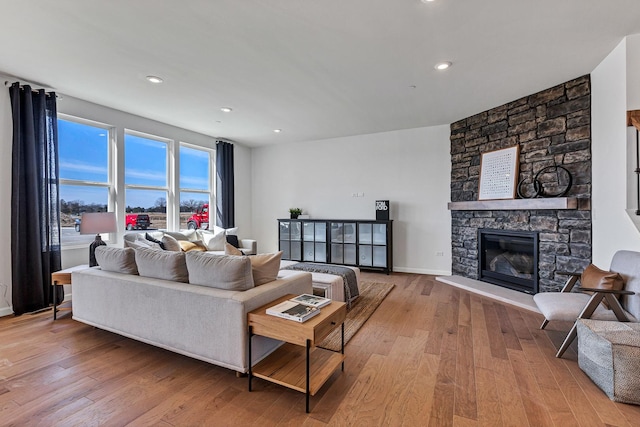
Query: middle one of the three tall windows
[{"x": 145, "y": 179}]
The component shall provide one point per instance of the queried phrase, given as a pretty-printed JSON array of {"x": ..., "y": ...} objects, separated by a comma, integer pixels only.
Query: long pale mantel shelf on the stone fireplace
[{"x": 516, "y": 204}]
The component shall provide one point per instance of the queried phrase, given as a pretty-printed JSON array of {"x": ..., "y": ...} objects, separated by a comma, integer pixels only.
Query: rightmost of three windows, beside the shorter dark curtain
[{"x": 195, "y": 186}]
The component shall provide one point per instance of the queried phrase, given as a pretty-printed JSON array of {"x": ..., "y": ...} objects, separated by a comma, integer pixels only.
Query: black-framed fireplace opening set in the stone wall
[{"x": 509, "y": 258}]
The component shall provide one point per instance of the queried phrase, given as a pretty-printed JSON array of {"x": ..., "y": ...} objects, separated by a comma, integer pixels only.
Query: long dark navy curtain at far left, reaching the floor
[{"x": 35, "y": 213}]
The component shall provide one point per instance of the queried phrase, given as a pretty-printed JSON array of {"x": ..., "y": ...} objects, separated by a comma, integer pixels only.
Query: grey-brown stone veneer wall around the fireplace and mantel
[{"x": 551, "y": 127}]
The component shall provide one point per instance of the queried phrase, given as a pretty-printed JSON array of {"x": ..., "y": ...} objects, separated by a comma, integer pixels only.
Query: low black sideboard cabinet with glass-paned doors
[{"x": 367, "y": 244}]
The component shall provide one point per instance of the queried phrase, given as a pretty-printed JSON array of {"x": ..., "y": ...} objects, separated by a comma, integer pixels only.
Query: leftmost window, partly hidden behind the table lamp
[{"x": 85, "y": 183}]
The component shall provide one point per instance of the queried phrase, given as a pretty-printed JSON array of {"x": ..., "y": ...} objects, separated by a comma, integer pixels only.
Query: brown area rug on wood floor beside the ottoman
[{"x": 371, "y": 295}]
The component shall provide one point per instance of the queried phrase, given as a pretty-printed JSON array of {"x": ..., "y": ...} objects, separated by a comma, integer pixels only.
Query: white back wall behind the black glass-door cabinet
[{"x": 411, "y": 168}]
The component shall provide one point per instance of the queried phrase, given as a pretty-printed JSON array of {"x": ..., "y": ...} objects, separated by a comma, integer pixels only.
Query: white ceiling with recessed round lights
[{"x": 315, "y": 69}]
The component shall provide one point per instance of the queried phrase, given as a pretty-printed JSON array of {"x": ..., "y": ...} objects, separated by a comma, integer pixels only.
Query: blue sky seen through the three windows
[{"x": 83, "y": 155}]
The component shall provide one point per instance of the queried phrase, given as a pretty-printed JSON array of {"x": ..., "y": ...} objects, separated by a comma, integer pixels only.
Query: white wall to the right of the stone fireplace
[{"x": 612, "y": 96}]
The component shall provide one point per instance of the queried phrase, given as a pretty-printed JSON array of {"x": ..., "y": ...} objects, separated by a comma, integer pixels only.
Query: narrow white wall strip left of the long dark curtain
[{"x": 5, "y": 196}]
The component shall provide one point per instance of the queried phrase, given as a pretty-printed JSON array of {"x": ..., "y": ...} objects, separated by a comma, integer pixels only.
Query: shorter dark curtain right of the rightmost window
[{"x": 225, "y": 213}]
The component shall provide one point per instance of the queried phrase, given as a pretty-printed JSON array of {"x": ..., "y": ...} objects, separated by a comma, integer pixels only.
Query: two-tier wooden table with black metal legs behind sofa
[{"x": 298, "y": 364}]
